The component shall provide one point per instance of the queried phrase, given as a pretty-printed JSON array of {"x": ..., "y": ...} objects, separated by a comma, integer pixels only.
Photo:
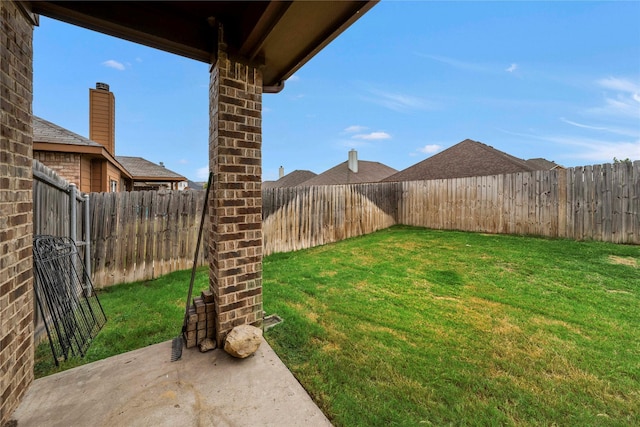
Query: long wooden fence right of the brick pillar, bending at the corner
[{"x": 599, "y": 202}]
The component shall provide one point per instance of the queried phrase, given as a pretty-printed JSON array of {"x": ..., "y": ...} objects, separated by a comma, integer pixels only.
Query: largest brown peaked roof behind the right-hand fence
[{"x": 465, "y": 159}]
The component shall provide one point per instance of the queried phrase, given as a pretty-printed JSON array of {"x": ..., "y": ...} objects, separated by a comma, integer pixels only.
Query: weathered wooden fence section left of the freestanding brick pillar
[{"x": 141, "y": 235}]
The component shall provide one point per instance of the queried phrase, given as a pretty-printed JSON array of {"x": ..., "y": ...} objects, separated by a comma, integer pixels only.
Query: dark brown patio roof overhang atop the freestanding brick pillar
[{"x": 279, "y": 36}]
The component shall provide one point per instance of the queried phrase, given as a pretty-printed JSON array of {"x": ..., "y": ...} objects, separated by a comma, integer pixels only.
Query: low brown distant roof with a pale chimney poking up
[{"x": 340, "y": 174}]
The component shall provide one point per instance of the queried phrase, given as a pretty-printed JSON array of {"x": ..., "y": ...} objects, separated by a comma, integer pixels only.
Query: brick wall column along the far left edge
[{"x": 16, "y": 205}]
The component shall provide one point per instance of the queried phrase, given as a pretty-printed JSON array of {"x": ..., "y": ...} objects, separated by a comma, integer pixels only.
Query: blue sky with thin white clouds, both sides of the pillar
[{"x": 559, "y": 80}]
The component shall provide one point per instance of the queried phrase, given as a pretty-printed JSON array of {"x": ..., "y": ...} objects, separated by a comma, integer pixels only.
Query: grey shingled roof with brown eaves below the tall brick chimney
[{"x": 48, "y": 136}]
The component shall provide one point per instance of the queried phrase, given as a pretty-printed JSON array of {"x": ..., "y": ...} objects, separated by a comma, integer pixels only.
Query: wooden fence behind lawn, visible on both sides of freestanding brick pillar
[{"x": 142, "y": 235}]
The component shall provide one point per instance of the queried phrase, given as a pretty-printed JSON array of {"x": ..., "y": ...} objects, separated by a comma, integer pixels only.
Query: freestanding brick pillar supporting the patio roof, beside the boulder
[{"x": 235, "y": 203}]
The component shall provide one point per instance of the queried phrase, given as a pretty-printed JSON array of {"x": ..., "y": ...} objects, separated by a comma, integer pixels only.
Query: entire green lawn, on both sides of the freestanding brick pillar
[{"x": 410, "y": 326}]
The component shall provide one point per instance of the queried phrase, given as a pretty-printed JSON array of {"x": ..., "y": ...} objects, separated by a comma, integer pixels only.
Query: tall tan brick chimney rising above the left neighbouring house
[{"x": 102, "y": 117}]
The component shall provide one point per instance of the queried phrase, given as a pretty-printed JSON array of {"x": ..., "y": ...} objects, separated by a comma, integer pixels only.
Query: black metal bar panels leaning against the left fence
[{"x": 69, "y": 306}]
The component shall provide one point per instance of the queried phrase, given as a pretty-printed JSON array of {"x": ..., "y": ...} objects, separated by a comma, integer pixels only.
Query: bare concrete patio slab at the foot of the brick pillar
[{"x": 144, "y": 388}]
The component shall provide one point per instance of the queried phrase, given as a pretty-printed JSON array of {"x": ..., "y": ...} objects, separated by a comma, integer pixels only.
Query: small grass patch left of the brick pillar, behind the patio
[{"x": 138, "y": 314}]
